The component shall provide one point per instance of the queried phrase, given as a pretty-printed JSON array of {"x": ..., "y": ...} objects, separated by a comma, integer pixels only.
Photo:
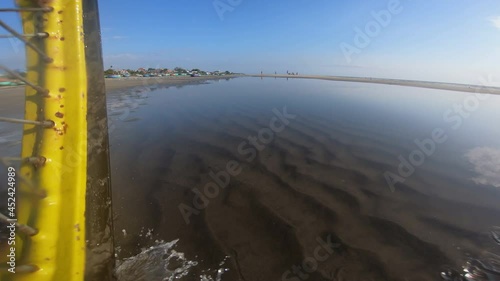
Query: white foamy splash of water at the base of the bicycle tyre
[{"x": 161, "y": 262}]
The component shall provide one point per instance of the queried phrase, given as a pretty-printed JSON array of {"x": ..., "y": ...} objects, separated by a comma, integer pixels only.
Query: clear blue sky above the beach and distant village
[{"x": 453, "y": 41}]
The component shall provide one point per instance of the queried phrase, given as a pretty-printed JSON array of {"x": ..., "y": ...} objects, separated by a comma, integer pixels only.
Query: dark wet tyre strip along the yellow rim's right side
[{"x": 100, "y": 263}]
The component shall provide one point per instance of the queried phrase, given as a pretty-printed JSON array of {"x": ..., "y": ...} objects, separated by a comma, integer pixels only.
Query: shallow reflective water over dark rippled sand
[{"x": 317, "y": 180}]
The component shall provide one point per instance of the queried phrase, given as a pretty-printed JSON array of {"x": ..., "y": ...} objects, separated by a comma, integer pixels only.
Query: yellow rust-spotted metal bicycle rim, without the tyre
[{"x": 57, "y": 251}]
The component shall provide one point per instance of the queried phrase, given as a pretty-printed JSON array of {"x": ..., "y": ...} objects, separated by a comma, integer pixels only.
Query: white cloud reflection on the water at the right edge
[{"x": 486, "y": 162}]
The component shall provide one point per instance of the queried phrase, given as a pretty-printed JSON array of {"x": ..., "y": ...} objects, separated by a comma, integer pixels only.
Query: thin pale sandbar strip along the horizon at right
[{"x": 397, "y": 82}]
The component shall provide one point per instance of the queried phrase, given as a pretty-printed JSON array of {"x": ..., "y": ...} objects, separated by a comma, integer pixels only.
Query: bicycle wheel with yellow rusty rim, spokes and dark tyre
[{"x": 64, "y": 212}]
